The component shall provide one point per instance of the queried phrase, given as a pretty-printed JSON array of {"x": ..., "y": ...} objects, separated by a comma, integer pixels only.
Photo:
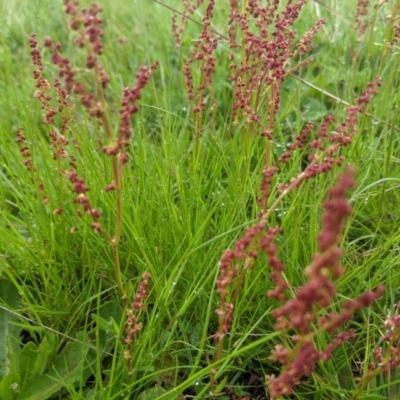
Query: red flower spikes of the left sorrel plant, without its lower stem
[{"x": 88, "y": 24}]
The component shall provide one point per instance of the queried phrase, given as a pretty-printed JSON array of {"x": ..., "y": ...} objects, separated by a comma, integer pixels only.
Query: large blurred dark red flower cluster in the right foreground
[{"x": 302, "y": 313}]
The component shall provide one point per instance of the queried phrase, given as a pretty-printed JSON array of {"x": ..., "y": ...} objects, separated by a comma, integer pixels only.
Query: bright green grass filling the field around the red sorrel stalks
[{"x": 187, "y": 197}]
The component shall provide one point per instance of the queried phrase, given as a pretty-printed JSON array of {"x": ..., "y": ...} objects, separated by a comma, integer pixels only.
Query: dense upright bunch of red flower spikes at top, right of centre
[{"x": 267, "y": 54}]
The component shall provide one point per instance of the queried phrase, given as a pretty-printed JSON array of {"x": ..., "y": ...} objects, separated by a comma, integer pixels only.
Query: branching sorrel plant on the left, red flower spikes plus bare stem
[{"x": 88, "y": 25}]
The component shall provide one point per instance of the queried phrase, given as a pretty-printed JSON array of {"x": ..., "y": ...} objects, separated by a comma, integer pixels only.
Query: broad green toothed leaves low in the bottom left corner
[{"x": 43, "y": 371}]
